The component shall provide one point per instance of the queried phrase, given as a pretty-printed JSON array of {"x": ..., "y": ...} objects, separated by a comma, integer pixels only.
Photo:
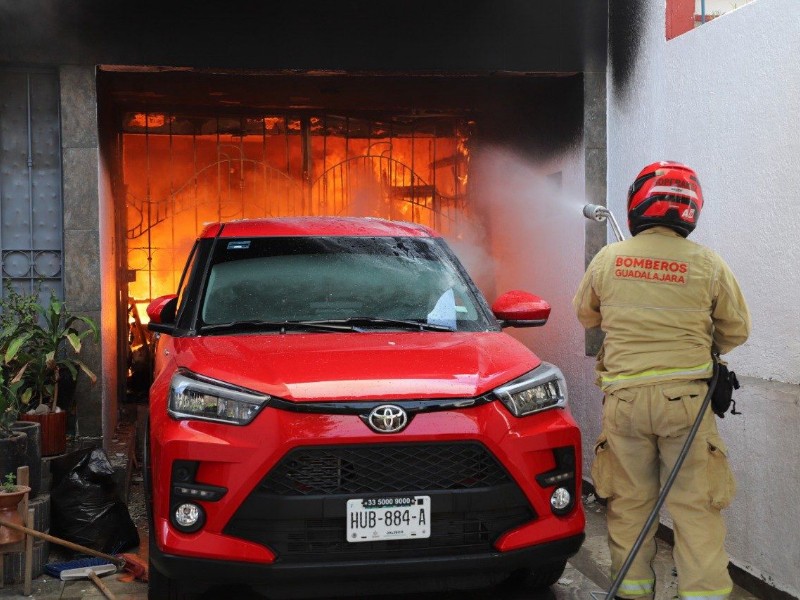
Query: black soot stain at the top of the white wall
[{"x": 625, "y": 26}]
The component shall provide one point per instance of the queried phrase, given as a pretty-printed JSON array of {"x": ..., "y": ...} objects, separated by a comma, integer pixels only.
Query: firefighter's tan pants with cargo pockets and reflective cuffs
[{"x": 644, "y": 429}]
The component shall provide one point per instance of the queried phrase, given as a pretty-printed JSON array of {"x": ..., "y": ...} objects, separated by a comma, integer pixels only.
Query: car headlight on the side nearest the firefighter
[{"x": 538, "y": 390}]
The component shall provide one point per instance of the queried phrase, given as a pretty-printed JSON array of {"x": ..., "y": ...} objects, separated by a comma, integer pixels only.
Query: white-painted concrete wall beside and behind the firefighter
[{"x": 724, "y": 98}]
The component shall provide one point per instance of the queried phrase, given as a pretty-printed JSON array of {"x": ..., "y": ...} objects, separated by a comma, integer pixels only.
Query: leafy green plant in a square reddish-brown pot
[{"x": 47, "y": 349}]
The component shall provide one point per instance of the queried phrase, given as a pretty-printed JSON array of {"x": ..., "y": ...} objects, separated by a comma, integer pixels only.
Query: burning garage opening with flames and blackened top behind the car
[{"x": 188, "y": 148}]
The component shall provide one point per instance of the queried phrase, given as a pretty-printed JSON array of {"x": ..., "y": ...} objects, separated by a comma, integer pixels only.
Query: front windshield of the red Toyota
[{"x": 356, "y": 283}]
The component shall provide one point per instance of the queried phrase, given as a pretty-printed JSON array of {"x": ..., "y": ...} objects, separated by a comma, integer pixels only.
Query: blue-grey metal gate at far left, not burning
[{"x": 31, "y": 213}]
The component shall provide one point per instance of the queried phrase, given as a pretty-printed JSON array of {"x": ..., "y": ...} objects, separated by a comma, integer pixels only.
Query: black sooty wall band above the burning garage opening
[{"x": 352, "y": 35}]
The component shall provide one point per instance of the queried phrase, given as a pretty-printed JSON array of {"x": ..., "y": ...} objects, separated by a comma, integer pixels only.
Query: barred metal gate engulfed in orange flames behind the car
[{"x": 180, "y": 171}]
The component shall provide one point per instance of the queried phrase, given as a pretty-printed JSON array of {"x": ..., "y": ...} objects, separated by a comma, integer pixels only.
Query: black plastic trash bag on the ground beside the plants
[{"x": 86, "y": 508}]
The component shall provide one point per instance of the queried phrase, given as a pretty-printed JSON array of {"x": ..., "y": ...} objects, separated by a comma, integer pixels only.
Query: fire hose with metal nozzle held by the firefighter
[{"x": 601, "y": 213}]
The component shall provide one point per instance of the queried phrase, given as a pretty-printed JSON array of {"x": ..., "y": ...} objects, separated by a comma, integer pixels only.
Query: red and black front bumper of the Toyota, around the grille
[{"x": 240, "y": 458}]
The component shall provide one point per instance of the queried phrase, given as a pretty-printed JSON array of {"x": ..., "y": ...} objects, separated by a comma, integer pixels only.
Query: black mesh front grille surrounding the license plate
[{"x": 299, "y": 509}]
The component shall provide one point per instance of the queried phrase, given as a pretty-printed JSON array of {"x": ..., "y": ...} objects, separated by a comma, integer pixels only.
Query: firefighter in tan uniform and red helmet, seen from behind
[{"x": 665, "y": 304}]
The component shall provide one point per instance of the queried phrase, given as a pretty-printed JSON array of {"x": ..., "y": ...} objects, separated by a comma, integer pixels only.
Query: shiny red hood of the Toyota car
[{"x": 356, "y": 366}]
